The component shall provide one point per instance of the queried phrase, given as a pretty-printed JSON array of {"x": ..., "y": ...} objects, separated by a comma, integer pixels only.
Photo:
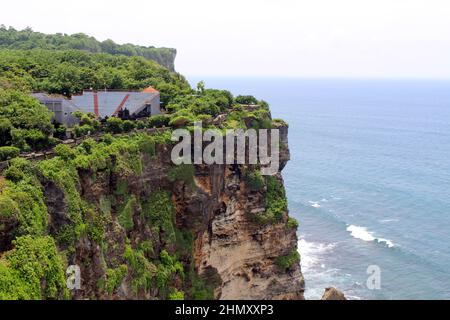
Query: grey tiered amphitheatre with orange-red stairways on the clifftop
[{"x": 105, "y": 103}]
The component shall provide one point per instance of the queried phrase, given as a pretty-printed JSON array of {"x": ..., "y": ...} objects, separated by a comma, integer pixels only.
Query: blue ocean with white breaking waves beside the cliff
[{"x": 368, "y": 181}]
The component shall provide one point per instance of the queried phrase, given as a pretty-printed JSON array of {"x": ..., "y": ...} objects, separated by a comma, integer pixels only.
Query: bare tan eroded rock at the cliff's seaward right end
[{"x": 244, "y": 252}]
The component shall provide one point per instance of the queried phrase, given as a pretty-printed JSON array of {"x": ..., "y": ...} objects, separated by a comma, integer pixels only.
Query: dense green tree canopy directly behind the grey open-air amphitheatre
[{"x": 68, "y": 72}]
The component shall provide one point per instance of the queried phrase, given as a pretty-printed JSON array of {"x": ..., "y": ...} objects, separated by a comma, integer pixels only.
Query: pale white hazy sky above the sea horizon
[{"x": 298, "y": 38}]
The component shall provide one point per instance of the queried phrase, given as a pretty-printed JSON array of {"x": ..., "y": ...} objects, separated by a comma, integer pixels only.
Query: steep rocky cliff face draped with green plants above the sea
[{"x": 141, "y": 228}]
